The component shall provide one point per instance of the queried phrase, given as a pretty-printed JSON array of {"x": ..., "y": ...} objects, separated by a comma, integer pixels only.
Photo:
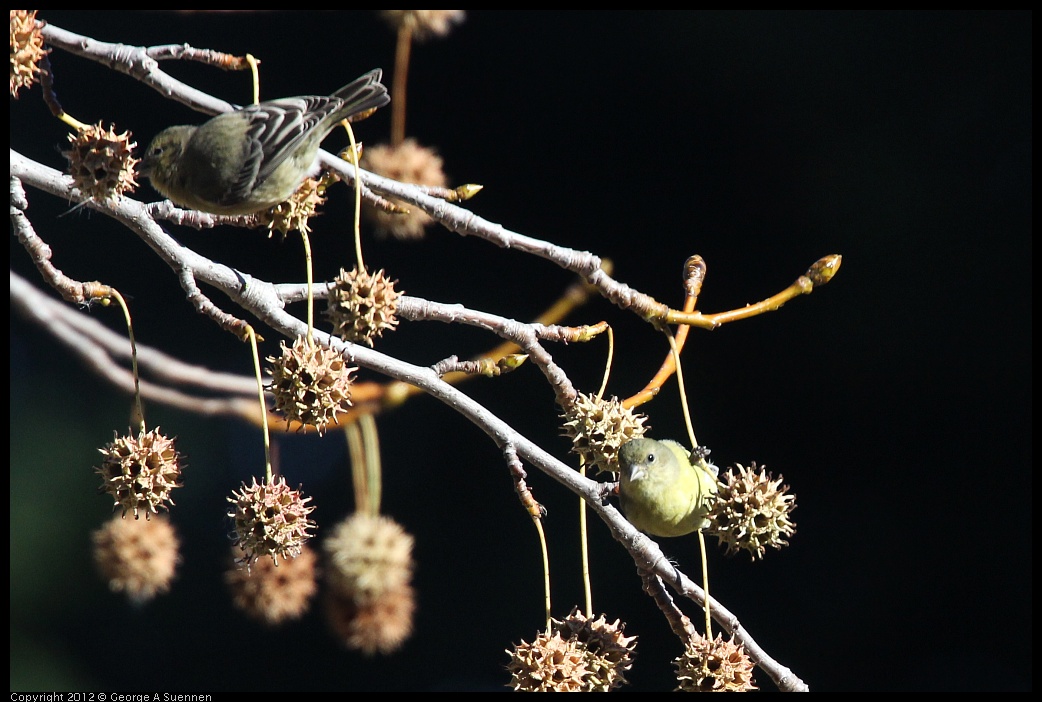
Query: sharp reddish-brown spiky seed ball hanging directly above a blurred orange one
[{"x": 271, "y": 520}]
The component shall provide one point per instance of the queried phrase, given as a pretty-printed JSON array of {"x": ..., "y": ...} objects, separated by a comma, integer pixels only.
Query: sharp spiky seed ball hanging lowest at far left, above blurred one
[{"x": 140, "y": 472}]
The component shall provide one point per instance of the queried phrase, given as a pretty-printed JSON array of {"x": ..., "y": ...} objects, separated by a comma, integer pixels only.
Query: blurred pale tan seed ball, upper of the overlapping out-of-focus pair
[{"x": 367, "y": 557}]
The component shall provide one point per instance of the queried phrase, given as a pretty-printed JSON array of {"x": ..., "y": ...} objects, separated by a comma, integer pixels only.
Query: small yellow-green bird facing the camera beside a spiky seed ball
[{"x": 661, "y": 492}]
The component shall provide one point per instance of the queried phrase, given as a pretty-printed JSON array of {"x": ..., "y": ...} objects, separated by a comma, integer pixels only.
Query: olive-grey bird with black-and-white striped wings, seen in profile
[{"x": 255, "y": 158}]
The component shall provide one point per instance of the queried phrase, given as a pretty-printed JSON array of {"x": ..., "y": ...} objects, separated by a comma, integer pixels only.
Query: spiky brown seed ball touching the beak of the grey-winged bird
[{"x": 101, "y": 162}]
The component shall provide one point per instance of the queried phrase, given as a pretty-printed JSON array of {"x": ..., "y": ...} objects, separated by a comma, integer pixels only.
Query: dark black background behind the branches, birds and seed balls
[{"x": 896, "y": 402}]
